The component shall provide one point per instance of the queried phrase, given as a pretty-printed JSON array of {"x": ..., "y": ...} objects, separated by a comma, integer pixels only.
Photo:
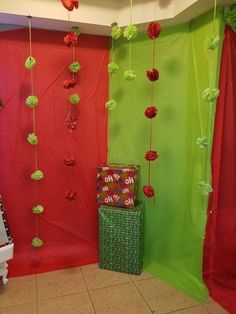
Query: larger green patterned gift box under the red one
[{"x": 121, "y": 239}]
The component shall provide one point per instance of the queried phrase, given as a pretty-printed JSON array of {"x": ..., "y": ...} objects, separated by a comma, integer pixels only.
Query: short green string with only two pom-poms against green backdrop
[{"x": 130, "y": 32}]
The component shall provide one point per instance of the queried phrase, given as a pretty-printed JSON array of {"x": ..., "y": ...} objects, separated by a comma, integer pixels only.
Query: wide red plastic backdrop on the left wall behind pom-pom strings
[{"x": 69, "y": 229}]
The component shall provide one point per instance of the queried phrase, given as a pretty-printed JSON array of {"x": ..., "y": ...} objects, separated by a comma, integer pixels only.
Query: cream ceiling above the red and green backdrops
[{"x": 96, "y": 16}]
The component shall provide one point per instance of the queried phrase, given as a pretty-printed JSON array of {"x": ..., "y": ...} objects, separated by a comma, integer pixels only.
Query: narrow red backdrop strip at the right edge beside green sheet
[{"x": 220, "y": 243}]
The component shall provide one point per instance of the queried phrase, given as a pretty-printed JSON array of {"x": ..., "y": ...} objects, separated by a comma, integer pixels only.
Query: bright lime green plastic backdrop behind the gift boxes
[{"x": 175, "y": 224}]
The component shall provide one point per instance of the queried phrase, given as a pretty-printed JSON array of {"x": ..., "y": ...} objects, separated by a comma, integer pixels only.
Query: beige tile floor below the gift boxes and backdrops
[{"x": 88, "y": 289}]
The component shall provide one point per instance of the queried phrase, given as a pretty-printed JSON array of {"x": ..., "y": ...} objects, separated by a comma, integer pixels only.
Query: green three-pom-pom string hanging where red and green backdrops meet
[{"x": 112, "y": 66}]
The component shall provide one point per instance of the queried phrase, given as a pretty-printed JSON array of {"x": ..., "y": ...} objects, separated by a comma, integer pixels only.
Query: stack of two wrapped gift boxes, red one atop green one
[{"x": 120, "y": 219}]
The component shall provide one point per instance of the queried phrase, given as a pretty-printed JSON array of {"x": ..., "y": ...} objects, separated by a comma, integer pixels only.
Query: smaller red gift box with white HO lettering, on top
[{"x": 117, "y": 185}]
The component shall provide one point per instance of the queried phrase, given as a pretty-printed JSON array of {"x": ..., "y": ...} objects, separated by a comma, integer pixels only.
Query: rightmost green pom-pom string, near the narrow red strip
[{"x": 209, "y": 96}]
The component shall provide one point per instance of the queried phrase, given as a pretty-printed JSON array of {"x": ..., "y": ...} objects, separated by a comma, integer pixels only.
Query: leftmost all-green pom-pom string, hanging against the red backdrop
[{"x": 32, "y": 138}]
